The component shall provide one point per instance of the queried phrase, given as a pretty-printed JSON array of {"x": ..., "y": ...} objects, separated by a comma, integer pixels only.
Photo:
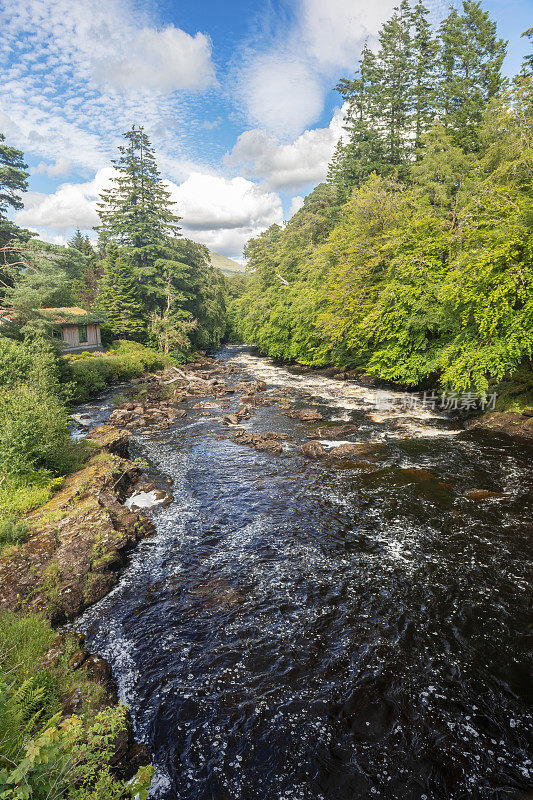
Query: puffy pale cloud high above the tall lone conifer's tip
[{"x": 163, "y": 60}]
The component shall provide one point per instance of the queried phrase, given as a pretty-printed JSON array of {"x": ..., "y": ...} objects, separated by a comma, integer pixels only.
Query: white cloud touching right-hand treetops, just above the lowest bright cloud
[{"x": 287, "y": 166}]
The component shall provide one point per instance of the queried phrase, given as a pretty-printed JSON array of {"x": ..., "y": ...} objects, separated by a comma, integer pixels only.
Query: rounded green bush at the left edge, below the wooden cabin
[{"x": 34, "y": 431}]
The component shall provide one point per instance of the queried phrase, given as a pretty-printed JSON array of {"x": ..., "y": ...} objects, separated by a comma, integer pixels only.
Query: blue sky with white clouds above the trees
[{"x": 237, "y": 98}]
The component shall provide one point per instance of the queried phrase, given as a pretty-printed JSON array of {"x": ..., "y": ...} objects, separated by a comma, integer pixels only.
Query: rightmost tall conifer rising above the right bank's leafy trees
[{"x": 472, "y": 57}]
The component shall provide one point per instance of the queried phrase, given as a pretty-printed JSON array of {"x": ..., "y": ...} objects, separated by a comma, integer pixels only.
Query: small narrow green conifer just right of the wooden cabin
[{"x": 119, "y": 298}]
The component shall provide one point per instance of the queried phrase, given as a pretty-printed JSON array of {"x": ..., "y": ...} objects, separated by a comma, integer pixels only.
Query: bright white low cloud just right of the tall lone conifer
[{"x": 224, "y": 213}]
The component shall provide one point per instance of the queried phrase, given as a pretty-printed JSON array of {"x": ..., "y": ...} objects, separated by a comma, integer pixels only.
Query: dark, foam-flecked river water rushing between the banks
[{"x": 303, "y": 630}]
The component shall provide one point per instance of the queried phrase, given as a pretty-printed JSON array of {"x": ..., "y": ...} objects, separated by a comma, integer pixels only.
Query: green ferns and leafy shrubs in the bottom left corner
[{"x": 43, "y": 756}]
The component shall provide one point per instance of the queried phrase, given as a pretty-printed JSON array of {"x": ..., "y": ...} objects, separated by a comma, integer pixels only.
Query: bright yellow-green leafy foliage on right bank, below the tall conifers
[{"x": 430, "y": 279}]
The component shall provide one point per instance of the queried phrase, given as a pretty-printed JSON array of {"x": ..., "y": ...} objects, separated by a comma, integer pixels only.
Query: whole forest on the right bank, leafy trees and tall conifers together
[{"x": 414, "y": 259}]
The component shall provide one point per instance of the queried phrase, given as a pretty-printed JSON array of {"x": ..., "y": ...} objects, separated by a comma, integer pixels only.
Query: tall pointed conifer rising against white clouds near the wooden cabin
[{"x": 136, "y": 211}]
